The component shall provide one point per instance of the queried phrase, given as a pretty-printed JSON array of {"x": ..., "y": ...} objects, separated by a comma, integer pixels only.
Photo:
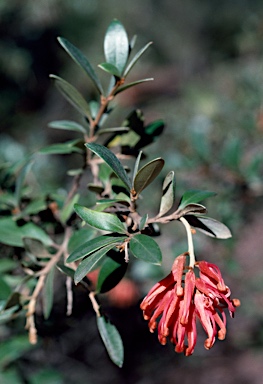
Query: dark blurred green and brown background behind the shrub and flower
[{"x": 207, "y": 62}]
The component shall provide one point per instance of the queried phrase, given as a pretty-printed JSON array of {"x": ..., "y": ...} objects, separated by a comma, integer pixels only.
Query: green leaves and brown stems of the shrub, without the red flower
[{"x": 60, "y": 233}]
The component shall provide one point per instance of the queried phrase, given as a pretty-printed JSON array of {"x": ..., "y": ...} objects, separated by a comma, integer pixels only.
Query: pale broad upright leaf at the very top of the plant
[{"x": 116, "y": 45}]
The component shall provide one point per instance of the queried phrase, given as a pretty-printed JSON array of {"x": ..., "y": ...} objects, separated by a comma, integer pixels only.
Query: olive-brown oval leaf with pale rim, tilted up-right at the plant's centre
[{"x": 147, "y": 174}]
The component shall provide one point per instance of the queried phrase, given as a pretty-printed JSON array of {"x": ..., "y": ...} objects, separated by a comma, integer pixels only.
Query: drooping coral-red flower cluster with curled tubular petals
[{"x": 181, "y": 298}]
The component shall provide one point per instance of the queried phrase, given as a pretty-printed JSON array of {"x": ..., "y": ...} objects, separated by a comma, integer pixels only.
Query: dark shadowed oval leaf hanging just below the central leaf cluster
[{"x": 111, "y": 273}]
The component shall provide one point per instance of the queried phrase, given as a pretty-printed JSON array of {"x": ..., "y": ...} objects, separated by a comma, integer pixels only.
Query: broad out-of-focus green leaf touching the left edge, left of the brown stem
[{"x": 12, "y": 234}]
